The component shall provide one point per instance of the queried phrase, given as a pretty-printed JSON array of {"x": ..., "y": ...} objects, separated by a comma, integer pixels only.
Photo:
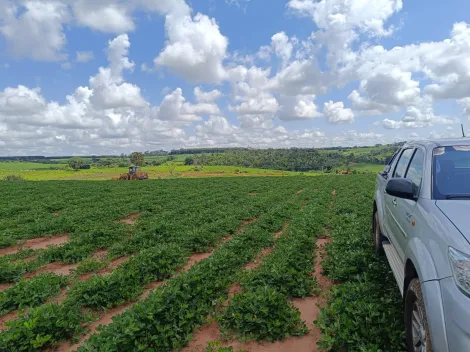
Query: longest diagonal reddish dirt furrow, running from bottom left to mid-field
[{"x": 106, "y": 317}]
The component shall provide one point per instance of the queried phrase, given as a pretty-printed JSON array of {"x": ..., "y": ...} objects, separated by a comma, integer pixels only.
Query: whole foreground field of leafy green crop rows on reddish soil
[{"x": 206, "y": 264}]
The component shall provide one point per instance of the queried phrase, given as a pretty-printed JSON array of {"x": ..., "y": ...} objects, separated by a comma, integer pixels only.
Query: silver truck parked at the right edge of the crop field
[{"x": 421, "y": 220}]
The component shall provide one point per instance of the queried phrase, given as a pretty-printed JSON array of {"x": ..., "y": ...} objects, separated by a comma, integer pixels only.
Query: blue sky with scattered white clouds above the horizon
[{"x": 81, "y": 77}]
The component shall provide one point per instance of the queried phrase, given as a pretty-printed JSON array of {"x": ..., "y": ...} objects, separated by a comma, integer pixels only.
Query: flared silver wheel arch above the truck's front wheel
[{"x": 421, "y": 258}]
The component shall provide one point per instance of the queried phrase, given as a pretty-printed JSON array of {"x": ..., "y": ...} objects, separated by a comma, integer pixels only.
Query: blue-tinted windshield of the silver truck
[{"x": 451, "y": 172}]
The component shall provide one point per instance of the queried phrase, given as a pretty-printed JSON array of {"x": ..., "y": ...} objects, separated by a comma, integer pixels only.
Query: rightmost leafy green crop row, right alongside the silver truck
[{"x": 364, "y": 311}]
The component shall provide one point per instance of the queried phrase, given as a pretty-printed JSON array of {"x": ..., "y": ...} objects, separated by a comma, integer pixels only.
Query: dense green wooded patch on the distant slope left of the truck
[{"x": 291, "y": 159}]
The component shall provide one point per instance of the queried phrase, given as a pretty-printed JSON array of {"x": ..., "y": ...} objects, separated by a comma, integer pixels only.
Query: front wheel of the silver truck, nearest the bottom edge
[{"x": 418, "y": 337}]
